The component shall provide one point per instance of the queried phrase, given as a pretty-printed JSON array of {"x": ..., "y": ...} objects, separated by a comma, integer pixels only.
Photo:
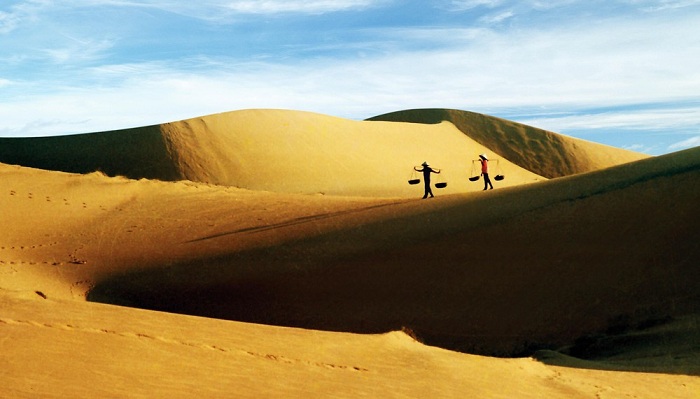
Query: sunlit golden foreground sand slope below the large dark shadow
[{"x": 57, "y": 349}]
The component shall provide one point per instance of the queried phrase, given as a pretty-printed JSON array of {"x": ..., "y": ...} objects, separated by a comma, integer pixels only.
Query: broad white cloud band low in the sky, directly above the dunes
[{"x": 149, "y": 93}]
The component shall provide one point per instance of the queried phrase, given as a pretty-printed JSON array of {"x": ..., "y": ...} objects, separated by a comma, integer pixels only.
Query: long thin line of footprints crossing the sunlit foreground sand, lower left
[{"x": 203, "y": 346}]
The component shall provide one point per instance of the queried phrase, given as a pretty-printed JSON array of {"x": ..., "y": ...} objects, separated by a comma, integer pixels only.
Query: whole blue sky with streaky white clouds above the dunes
[{"x": 619, "y": 72}]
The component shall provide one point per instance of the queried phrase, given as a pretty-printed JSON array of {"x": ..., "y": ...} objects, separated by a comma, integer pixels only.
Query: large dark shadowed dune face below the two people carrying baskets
[{"x": 525, "y": 269}]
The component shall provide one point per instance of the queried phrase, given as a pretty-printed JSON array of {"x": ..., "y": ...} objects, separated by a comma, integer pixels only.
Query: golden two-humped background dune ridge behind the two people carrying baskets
[{"x": 291, "y": 151}]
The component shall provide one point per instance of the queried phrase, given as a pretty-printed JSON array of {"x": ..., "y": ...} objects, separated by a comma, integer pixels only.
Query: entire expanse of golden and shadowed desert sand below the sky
[{"x": 276, "y": 253}]
